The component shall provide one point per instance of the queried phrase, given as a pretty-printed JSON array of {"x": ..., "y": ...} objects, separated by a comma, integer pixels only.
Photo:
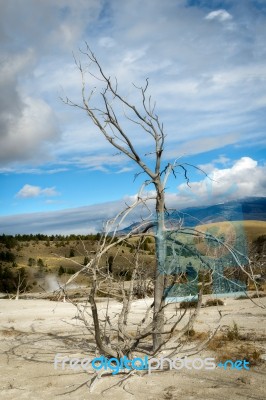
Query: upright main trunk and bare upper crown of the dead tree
[{"x": 104, "y": 114}]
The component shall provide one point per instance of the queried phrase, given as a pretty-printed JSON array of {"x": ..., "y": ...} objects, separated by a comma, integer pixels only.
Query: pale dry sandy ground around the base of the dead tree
[{"x": 33, "y": 331}]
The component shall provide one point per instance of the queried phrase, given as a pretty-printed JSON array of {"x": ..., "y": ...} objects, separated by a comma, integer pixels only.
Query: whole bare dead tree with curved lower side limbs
[{"x": 104, "y": 109}]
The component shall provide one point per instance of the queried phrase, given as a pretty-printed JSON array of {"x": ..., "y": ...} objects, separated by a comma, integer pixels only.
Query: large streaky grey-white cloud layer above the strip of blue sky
[{"x": 205, "y": 60}]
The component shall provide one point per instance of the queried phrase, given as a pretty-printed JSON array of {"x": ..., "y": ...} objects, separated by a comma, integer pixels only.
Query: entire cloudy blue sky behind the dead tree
[{"x": 206, "y": 65}]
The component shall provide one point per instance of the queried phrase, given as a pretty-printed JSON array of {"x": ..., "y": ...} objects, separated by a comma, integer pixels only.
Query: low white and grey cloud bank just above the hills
[{"x": 245, "y": 178}]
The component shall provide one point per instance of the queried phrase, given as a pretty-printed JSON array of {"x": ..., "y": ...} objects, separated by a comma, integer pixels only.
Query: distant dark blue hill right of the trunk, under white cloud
[{"x": 247, "y": 209}]
